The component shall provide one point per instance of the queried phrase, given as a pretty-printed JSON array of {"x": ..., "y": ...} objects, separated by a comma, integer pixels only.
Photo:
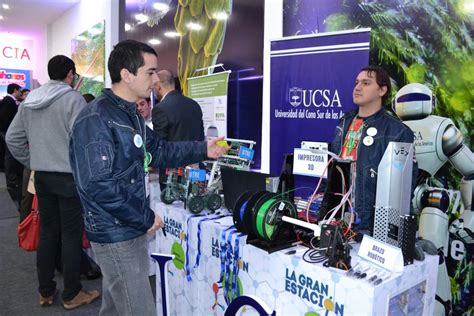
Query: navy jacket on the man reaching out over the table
[{"x": 107, "y": 159}]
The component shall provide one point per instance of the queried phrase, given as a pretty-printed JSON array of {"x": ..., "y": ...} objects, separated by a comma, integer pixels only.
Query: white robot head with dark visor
[{"x": 413, "y": 102}]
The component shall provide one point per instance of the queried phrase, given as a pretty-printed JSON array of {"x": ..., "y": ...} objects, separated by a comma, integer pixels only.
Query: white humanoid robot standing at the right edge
[{"x": 437, "y": 140}]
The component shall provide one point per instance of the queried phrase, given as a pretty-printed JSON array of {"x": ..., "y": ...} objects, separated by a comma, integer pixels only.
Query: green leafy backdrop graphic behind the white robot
[{"x": 429, "y": 42}]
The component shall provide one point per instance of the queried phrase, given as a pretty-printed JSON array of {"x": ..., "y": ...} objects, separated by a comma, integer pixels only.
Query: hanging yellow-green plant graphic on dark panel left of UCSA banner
[{"x": 202, "y": 25}]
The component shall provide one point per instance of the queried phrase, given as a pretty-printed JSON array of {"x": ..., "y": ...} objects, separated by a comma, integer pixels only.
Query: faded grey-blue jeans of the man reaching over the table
[{"x": 126, "y": 289}]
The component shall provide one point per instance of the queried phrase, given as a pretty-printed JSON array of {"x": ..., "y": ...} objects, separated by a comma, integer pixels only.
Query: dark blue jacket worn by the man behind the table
[{"x": 389, "y": 129}]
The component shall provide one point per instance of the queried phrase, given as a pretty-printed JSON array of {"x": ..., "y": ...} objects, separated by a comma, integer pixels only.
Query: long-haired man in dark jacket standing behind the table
[{"x": 364, "y": 134}]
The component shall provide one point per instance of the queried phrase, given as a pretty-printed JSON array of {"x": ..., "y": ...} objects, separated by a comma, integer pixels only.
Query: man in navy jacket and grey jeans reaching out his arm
[{"x": 110, "y": 150}]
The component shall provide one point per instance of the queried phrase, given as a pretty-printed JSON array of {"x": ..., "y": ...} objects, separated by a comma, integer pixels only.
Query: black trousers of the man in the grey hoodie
[{"x": 61, "y": 221}]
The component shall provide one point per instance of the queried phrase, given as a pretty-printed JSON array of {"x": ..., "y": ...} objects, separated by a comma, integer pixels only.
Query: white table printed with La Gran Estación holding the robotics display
[{"x": 284, "y": 281}]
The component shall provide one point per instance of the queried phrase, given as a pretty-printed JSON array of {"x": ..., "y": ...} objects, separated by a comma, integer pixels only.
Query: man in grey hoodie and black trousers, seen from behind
[{"x": 38, "y": 137}]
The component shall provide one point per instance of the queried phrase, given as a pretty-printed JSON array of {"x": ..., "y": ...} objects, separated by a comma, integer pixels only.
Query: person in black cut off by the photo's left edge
[{"x": 13, "y": 169}]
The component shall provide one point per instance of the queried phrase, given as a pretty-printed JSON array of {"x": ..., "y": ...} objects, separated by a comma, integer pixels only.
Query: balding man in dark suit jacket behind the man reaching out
[{"x": 176, "y": 117}]
